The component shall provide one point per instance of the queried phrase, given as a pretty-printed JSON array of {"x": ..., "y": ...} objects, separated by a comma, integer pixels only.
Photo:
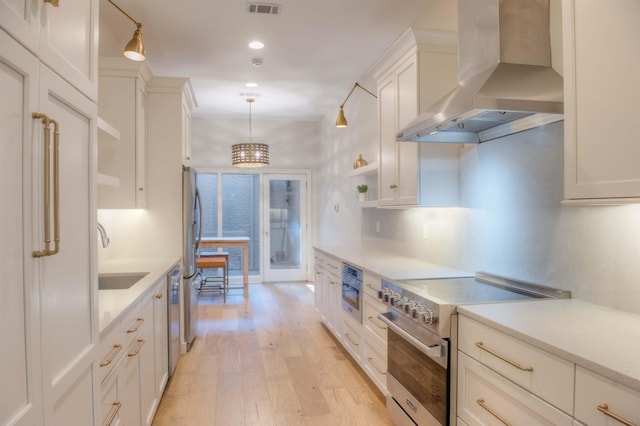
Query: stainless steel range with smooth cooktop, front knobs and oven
[{"x": 422, "y": 339}]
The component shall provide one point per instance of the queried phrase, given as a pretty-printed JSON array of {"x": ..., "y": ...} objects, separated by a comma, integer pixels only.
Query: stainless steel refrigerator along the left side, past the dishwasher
[{"x": 192, "y": 233}]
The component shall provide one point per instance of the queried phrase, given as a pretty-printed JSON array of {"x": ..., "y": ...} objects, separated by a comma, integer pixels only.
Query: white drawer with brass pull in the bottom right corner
[{"x": 593, "y": 391}]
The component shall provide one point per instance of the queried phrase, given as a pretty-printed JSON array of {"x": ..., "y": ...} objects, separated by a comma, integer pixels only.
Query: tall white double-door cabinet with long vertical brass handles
[{"x": 48, "y": 301}]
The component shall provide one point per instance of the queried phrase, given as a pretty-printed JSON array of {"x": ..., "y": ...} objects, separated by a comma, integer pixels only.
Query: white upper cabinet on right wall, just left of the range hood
[{"x": 417, "y": 71}]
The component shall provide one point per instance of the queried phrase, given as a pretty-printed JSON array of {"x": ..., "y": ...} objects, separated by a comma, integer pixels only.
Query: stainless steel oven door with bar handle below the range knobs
[{"x": 418, "y": 379}]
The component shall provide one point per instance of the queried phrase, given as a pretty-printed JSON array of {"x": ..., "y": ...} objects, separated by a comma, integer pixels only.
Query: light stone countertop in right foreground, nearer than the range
[{"x": 603, "y": 340}]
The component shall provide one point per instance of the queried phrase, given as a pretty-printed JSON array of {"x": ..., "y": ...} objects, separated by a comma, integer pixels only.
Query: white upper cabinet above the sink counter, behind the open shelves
[{"x": 123, "y": 104}]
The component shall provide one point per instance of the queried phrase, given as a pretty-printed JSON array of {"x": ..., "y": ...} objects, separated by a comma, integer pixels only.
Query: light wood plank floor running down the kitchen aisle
[{"x": 267, "y": 361}]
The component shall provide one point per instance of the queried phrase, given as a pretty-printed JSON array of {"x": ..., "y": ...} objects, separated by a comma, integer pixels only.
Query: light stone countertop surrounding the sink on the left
[{"x": 112, "y": 303}]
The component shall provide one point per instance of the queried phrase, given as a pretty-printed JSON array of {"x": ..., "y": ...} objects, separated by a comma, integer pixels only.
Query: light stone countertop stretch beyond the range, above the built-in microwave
[{"x": 391, "y": 265}]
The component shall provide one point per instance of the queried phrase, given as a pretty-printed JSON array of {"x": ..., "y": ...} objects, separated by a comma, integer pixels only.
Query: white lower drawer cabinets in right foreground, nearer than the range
[{"x": 502, "y": 379}]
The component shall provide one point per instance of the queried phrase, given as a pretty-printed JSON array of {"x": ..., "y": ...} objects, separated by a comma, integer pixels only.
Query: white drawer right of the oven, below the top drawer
[{"x": 484, "y": 397}]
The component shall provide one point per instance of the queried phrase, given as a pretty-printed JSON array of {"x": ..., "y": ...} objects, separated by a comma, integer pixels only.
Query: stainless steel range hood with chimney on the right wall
[{"x": 506, "y": 83}]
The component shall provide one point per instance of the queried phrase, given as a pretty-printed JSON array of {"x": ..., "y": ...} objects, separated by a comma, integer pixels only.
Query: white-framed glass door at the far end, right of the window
[{"x": 285, "y": 227}]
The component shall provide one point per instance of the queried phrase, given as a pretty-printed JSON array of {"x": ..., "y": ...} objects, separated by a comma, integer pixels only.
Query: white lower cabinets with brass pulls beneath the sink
[{"x": 134, "y": 361}]
